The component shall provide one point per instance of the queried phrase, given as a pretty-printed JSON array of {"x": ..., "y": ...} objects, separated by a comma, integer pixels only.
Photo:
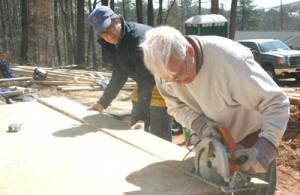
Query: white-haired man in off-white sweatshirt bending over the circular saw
[{"x": 211, "y": 81}]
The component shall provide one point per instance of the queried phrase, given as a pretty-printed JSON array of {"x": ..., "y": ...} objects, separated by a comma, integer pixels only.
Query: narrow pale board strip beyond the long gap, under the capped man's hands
[{"x": 138, "y": 138}]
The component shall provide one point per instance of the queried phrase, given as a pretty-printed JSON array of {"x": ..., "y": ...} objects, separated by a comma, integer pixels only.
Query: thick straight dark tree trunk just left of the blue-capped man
[{"x": 80, "y": 32}]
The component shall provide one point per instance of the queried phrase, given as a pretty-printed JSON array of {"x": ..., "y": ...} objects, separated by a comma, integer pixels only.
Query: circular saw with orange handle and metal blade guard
[{"x": 215, "y": 165}]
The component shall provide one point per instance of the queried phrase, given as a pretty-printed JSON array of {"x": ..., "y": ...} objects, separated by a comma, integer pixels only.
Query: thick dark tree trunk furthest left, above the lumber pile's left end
[{"x": 25, "y": 29}]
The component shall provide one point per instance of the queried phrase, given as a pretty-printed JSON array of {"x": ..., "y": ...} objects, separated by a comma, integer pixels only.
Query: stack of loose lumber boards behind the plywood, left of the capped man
[{"x": 69, "y": 79}]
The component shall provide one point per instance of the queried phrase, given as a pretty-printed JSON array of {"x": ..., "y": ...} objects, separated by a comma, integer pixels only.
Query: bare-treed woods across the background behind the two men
[{"x": 56, "y": 33}]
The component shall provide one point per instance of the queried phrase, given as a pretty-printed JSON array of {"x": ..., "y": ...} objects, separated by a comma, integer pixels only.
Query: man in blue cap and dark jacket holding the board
[{"x": 127, "y": 61}]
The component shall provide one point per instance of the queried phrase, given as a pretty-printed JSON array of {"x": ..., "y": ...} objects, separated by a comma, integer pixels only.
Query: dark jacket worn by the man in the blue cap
[{"x": 127, "y": 61}]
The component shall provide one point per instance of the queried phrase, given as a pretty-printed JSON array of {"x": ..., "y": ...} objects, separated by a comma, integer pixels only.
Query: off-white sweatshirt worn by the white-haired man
[{"x": 232, "y": 90}]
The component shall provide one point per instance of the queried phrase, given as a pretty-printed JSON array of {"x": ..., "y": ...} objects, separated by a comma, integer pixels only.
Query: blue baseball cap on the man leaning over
[{"x": 100, "y": 18}]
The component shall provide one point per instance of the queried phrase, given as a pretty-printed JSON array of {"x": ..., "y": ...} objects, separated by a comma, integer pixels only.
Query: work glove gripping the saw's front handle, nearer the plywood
[{"x": 210, "y": 129}]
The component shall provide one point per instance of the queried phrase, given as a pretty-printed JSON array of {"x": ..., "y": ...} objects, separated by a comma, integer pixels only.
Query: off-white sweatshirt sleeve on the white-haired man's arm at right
[{"x": 252, "y": 87}]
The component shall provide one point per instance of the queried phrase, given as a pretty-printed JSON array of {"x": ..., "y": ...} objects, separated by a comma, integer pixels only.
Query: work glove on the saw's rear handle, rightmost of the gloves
[{"x": 257, "y": 158}]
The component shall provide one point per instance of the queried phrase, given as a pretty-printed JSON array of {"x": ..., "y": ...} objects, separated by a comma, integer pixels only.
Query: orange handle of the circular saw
[{"x": 229, "y": 142}]
